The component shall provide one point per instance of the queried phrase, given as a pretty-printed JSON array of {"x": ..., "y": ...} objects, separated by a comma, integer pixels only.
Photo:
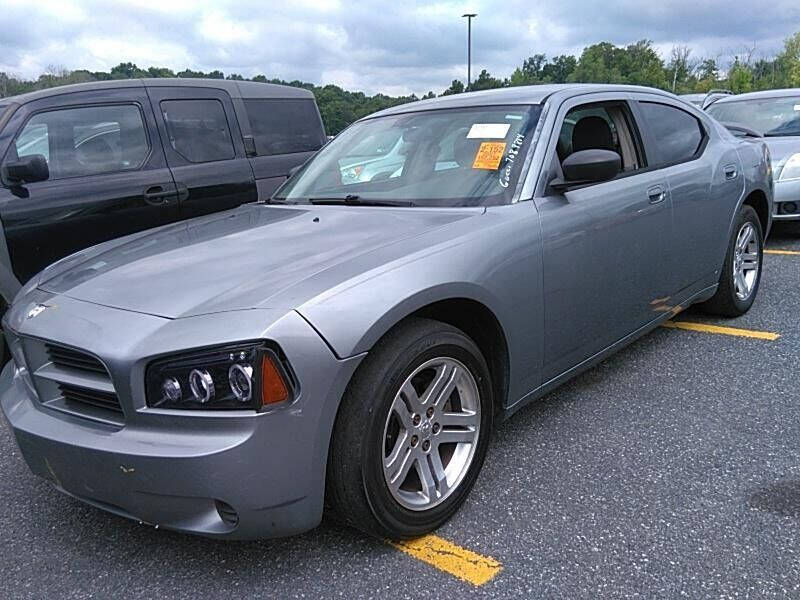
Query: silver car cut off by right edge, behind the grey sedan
[{"x": 775, "y": 115}]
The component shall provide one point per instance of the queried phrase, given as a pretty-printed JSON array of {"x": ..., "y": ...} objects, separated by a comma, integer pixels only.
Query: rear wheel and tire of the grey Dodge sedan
[{"x": 730, "y": 300}]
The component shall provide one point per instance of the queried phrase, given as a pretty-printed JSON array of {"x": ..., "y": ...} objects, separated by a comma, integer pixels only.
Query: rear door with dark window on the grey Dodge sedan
[{"x": 704, "y": 175}]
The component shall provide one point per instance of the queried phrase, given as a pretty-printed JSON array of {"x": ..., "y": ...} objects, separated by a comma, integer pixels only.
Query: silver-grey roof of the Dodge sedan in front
[{"x": 530, "y": 94}]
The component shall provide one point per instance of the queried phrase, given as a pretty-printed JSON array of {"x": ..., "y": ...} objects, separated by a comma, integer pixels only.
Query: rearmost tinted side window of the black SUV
[{"x": 284, "y": 126}]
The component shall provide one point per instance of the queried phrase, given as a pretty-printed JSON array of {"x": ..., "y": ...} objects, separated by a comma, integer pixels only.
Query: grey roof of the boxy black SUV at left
[{"x": 236, "y": 89}]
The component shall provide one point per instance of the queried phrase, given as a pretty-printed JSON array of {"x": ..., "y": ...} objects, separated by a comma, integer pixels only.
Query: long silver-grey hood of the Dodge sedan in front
[{"x": 257, "y": 256}]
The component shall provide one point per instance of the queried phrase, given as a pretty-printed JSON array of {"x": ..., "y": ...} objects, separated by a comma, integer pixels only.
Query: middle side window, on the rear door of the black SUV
[{"x": 198, "y": 129}]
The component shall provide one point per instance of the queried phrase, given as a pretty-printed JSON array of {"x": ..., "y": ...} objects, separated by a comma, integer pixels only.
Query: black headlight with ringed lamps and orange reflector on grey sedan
[{"x": 246, "y": 376}]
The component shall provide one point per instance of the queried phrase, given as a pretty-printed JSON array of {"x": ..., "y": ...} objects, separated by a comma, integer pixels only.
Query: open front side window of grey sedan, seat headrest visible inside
[{"x": 605, "y": 126}]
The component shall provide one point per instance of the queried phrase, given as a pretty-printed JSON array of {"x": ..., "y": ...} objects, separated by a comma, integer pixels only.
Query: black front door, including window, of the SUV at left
[{"x": 108, "y": 175}]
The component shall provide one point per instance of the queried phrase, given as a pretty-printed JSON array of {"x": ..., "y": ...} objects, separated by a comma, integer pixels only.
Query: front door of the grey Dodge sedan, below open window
[{"x": 605, "y": 246}]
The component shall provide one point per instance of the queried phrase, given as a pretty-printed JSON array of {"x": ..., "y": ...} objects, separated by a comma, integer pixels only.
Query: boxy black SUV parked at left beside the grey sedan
[{"x": 86, "y": 163}]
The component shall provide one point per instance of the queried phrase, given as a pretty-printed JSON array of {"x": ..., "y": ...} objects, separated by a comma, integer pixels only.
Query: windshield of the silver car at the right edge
[{"x": 768, "y": 116}]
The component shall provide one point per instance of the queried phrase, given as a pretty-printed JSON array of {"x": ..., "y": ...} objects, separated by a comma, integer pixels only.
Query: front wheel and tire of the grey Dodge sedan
[{"x": 375, "y": 424}]
